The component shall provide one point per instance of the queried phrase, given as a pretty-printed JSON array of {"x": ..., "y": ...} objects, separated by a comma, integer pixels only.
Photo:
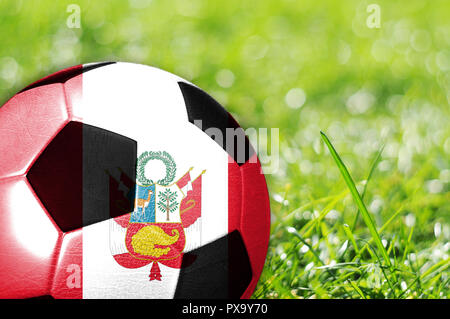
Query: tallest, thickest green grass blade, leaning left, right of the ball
[{"x": 355, "y": 194}]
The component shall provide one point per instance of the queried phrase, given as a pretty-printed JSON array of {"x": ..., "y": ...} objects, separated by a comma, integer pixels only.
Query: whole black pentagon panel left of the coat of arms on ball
[{"x": 85, "y": 175}]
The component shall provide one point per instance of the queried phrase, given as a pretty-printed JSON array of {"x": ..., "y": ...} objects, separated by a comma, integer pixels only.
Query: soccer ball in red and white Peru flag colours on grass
[{"x": 120, "y": 180}]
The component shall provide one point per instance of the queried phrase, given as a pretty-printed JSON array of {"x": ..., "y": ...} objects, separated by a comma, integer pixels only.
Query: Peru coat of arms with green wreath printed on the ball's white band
[{"x": 155, "y": 229}]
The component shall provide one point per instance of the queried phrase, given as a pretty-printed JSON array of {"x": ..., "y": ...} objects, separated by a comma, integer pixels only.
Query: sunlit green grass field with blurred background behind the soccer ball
[{"x": 302, "y": 67}]
